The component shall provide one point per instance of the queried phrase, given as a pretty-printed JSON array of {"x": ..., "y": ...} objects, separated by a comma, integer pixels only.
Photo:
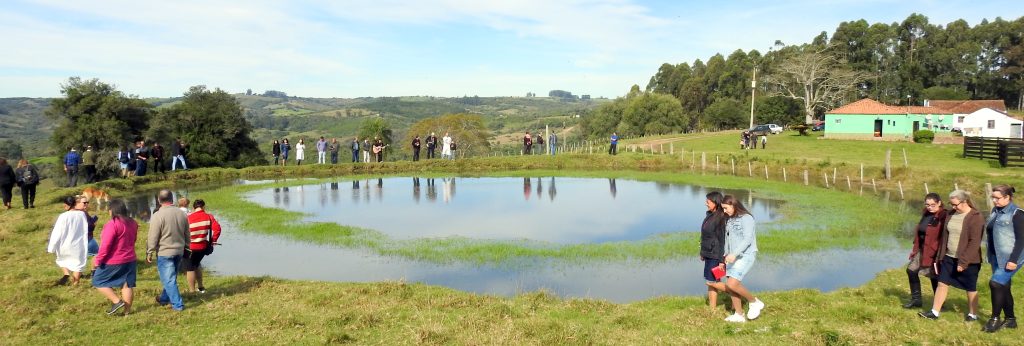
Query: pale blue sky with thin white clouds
[{"x": 393, "y": 49}]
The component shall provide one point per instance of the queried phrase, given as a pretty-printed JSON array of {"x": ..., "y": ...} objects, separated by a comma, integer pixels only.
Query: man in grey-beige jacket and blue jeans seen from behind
[{"x": 168, "y": 240}]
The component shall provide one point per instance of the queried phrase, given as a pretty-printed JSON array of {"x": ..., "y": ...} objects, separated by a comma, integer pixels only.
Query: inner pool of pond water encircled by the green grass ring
[{"x": 558, "y": 210}]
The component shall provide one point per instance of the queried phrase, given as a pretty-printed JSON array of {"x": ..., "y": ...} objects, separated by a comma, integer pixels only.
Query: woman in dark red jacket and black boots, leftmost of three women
[{"x": 926, "y": 248}]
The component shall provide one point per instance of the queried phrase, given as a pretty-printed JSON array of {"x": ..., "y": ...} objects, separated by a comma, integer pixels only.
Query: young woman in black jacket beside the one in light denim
[{"x": 713, "y": 245}]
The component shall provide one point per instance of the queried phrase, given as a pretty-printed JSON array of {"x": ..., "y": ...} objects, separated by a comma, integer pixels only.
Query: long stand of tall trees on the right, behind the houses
[{"x": 898, "y": 64}]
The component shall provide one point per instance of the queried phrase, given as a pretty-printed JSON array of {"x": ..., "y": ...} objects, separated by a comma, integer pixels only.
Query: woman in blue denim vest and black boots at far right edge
[{"x": 1006, "y": 242}]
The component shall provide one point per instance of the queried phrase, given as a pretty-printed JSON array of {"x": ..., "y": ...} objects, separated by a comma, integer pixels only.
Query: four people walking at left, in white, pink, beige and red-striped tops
[{"x": 177, "y": 237}]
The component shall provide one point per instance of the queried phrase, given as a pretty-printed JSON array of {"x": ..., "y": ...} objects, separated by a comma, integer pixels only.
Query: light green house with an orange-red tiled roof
[{"x": 869, "y": 119}]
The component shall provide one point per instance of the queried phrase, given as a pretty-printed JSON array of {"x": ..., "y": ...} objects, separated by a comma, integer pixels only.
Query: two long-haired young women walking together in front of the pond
[{"x": 729, "y": 249}]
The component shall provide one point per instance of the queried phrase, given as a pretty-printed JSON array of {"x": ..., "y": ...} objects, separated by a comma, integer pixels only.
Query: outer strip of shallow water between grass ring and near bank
[{"x": 244, "y": 254}]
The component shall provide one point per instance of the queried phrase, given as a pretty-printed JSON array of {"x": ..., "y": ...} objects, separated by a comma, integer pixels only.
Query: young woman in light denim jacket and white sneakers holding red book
[{"x": 741, "y": 253}]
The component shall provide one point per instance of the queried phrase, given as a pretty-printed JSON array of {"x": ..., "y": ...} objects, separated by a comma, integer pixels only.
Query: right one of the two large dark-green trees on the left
[{"x": 212, "y": 125}]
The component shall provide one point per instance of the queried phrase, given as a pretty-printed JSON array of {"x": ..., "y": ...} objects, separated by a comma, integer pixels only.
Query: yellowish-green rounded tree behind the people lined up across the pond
[{"x": 467, "y": 131}]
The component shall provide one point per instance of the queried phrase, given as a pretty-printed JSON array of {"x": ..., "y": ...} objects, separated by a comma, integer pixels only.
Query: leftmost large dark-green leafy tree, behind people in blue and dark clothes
[{"x": 97, "y": 114}]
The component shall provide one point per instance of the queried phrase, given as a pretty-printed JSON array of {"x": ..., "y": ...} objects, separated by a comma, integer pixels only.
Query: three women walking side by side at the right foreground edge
[{"x": 948, "y": 251}]
